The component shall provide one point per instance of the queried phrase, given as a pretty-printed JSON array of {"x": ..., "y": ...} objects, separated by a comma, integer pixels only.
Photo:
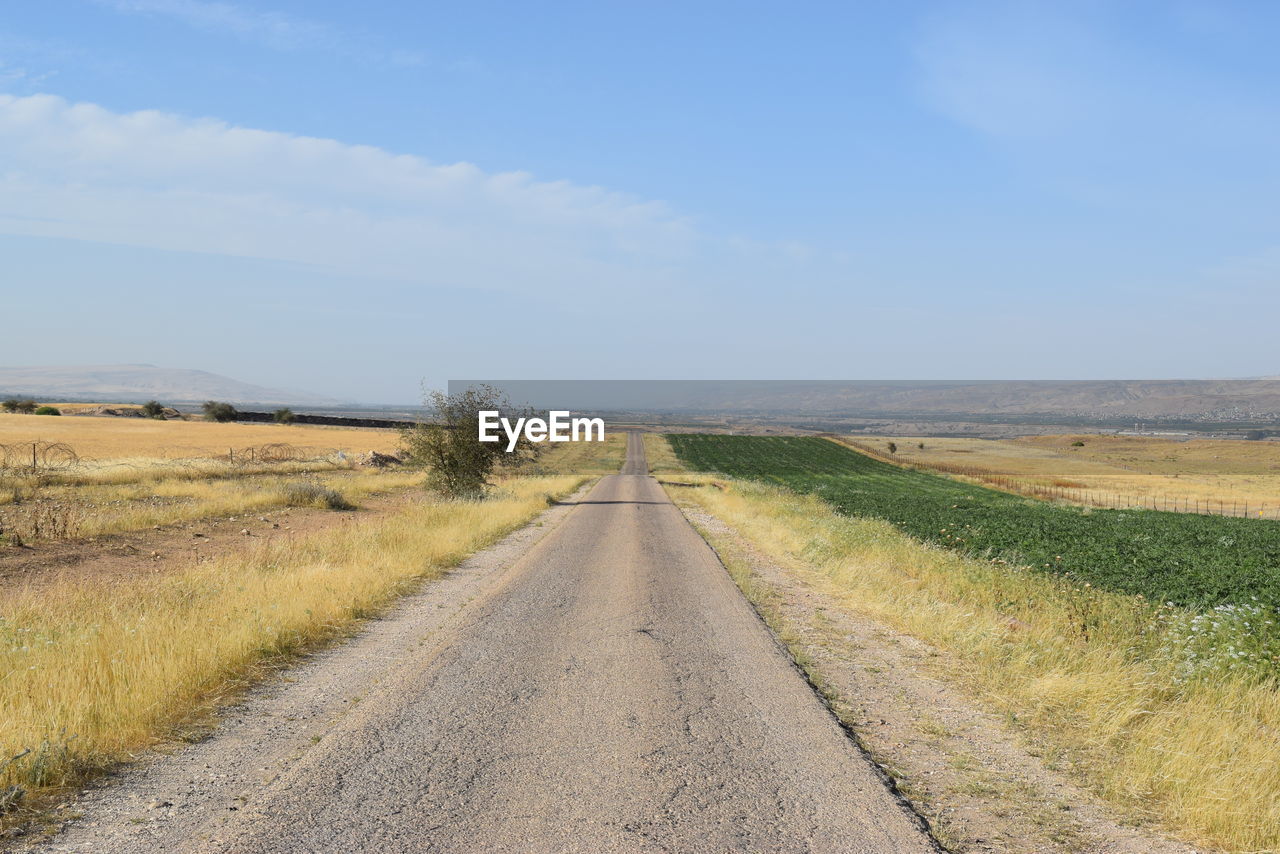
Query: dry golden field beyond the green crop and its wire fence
[{"x": 1213, "y": 476}]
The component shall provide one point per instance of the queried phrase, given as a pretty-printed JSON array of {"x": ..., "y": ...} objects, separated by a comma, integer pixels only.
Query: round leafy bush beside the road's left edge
[{"x": 450, "y": 445}]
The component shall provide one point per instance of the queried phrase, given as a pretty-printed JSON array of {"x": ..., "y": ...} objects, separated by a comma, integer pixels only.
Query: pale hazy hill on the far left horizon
[{"x": 140, "y": 383}]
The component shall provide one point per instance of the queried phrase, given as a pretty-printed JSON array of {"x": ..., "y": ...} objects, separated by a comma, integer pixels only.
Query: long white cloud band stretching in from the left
[{"x": 163, "y": 181}]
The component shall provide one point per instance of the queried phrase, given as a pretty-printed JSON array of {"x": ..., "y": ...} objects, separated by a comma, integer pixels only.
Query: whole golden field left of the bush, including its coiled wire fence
[{"x": 65, "y": 478}]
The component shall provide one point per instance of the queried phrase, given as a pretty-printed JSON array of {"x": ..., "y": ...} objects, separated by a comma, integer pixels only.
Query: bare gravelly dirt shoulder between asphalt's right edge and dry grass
[{"x": 975, "y": 778}]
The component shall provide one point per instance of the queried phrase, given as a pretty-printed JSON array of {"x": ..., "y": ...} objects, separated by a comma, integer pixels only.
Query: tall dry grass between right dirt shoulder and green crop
[{"x": 1172, "y": 715}]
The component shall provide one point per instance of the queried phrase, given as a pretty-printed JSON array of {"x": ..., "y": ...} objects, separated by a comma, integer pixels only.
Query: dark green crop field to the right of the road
[{"x": 1194, "y": 561}]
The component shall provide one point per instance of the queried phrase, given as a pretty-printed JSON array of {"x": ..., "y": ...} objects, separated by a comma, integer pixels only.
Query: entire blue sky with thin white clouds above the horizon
[{"x": 358, "y": 199}]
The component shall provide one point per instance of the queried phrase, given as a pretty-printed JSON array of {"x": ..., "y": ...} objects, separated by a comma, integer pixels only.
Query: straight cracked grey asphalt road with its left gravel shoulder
[{"x": 611, "y": 692}]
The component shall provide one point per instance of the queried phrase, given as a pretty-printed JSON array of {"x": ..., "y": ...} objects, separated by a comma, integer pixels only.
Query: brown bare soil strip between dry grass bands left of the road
[{"x": 104, "y": 560}]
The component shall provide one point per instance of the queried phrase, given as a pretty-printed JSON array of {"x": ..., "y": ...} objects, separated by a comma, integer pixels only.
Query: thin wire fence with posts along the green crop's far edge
[{"x": 1085, "y": 496}]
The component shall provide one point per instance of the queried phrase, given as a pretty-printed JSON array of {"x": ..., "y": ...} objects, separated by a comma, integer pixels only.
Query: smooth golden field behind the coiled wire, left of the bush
[{"x": 116, "y": 439}]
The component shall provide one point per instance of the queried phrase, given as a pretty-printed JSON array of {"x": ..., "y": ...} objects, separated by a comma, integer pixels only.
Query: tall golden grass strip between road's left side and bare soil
[{"x": 90, "y": 679}]
